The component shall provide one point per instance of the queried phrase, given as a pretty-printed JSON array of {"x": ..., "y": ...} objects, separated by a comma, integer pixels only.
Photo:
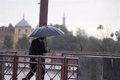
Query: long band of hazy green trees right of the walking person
[{"x": 81, "y": 42}]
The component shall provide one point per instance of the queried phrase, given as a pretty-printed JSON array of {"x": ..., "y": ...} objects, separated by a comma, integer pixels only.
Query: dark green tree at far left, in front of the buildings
[{"x": 8, "y": 42}]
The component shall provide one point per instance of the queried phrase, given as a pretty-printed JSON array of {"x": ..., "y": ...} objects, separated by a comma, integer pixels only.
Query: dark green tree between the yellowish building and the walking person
[{"x": 23, "y": 43}]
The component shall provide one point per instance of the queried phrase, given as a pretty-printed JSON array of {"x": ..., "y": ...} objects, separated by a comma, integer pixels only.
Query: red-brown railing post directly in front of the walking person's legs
[{"x": 39, "y": 69}]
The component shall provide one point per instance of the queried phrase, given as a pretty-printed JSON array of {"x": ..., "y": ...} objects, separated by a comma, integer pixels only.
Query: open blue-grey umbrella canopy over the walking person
[{"x": 45, "y": 31}]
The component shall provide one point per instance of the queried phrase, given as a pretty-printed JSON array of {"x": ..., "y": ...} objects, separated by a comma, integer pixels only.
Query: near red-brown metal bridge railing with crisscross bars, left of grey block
[{"x": 16, "y": 67}]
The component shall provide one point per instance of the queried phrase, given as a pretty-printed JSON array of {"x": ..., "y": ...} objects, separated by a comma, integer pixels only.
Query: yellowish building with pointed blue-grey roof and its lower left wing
[{"x": 21, "y": 28}]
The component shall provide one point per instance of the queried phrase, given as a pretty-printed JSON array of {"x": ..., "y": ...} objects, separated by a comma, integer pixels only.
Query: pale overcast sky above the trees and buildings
[{"x": 84, "y": 14}]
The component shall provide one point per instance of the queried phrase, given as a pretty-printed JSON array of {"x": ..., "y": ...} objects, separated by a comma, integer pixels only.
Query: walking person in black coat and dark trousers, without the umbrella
[{"x": 37, "y": 48}]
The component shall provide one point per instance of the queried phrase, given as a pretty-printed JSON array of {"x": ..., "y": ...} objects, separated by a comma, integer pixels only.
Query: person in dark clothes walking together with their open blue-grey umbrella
[{"x": 38, "y": 46}]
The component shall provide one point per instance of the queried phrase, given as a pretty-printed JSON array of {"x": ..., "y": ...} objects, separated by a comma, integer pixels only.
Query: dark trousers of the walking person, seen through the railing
[{"x": 33, "y": 67}]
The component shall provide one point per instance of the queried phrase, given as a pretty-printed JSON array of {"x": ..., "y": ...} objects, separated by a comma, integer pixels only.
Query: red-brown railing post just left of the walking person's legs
[{"x": 15, "y": 63}]
